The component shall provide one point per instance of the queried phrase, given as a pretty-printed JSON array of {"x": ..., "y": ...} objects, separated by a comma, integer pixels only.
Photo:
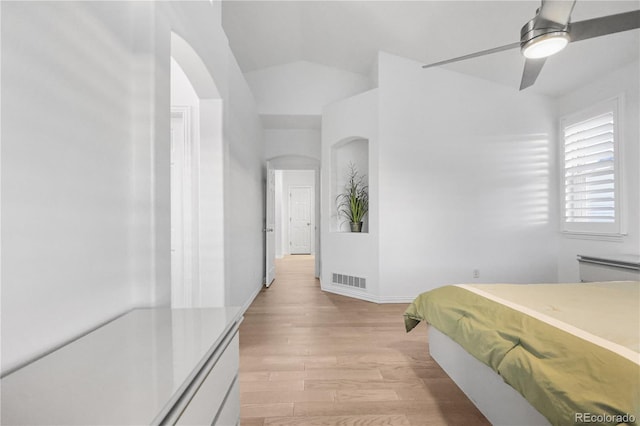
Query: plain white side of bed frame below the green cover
[{"x": 499, "y": 402}]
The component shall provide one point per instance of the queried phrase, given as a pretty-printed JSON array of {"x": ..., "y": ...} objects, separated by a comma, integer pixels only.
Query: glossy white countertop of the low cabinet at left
[{"x": 126, "y": 372}]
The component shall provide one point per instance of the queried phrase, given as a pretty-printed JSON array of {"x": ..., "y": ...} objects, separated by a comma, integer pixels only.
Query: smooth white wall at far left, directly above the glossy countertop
[{"x": 66, "y": 173}]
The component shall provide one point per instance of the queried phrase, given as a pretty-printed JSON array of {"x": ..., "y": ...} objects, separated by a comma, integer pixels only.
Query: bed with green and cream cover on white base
[{"x": 572, "y": 351}]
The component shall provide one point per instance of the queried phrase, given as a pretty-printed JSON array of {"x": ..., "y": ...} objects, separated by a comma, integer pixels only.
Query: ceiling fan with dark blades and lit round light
[{"x": 550, "y": 31}]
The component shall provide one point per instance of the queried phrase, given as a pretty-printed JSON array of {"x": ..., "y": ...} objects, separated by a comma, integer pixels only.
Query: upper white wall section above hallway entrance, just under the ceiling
[{"x": 302, "y": 88}]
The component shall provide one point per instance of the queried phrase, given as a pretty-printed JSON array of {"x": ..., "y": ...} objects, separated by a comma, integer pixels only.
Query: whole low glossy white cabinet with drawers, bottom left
[{"x": 149, "y": 366}]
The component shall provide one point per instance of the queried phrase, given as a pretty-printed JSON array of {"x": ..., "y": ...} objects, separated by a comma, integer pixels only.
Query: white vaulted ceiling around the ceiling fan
[{"x": 348, "y": 34}]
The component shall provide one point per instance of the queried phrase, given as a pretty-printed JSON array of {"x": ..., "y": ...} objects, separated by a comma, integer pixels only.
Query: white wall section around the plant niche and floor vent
[{"x": 347, "y": 253}]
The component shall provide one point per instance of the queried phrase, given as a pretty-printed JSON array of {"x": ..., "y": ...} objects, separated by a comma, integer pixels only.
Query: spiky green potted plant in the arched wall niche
[{"x": 353, "y": 202}]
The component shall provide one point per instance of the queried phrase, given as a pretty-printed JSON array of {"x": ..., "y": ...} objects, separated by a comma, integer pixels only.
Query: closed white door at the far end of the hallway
[{"x": 300, "y": 220}]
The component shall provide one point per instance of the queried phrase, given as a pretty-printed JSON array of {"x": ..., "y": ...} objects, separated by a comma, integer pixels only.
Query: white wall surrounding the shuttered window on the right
[{"x": 623, "y": 81}]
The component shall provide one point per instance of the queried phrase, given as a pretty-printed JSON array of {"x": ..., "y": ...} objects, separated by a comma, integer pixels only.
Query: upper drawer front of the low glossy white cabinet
[{"x": 210, "y": 396}]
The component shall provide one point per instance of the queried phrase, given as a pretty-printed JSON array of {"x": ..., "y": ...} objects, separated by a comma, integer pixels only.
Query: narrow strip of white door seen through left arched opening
[{"x": 181, "y": 261}]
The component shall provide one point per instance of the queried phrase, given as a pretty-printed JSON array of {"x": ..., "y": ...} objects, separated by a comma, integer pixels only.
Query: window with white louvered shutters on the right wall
[{"x": 591, "y": 187}]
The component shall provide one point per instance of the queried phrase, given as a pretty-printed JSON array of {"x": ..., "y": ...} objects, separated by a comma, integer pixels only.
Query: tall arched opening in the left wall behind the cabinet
[{"x": 197, "y": 184}]
